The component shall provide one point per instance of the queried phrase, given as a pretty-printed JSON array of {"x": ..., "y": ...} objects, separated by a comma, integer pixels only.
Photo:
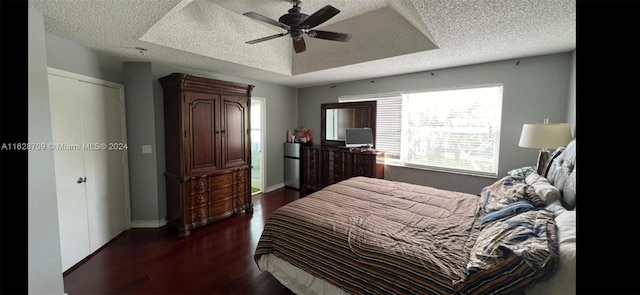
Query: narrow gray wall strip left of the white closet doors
[{"x": 44, "y": 260}]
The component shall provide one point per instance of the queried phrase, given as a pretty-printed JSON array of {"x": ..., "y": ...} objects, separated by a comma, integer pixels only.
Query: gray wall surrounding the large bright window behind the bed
[{"x": 534, "y": 88}]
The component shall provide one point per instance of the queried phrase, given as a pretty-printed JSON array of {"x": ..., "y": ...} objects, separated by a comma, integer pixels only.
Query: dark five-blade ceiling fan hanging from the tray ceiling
[{"x": 297, "y": 24}]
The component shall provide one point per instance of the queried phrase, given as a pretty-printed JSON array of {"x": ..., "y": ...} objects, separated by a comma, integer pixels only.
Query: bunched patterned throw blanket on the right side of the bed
[{"x": 518, "y": 244}]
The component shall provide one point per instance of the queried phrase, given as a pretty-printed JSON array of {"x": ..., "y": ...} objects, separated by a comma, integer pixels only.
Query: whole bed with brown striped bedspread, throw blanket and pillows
[{"x": 375, "y": 236}]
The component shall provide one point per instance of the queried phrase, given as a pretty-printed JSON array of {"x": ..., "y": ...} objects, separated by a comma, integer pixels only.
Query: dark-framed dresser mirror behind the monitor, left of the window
[{"x": 337, "y": 117}]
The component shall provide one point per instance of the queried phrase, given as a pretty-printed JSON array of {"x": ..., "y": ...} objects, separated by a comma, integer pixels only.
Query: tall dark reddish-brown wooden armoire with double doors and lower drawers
[{"x": 208, "y": 150}]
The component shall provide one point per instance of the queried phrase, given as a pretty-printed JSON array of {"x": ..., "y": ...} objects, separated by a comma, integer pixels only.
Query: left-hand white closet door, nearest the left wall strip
[{"x": 66, "y": 121}]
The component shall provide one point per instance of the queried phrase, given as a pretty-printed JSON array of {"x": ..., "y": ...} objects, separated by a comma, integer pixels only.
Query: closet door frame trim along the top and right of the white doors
[{"x": 123, "y": 121}]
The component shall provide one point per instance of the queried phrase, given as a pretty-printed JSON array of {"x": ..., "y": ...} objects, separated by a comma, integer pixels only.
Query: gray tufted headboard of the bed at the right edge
[{"x": 561, "y": 173}]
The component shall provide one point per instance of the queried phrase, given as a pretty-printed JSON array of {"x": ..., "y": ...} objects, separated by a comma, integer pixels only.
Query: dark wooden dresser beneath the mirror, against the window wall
[{"x": 323, "y": 166}]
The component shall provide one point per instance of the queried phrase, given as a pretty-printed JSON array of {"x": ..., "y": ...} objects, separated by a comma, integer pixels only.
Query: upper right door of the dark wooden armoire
[{"x": 235, "y": 133}]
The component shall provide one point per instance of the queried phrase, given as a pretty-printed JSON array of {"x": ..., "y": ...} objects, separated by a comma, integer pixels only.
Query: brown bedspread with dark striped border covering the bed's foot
[{"x": 377, "y": 236}]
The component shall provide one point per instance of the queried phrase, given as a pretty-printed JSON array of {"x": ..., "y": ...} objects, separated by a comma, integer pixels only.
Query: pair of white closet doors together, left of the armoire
[{"x": 87, "y": 123}]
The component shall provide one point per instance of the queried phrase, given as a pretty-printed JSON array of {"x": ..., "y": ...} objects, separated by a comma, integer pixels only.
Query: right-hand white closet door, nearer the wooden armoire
[{"x": 102, "y": 129}]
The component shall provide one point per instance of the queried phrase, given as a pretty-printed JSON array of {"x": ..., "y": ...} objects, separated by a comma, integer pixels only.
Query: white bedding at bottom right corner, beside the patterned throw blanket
[{"x": 564, "y": 280}]
